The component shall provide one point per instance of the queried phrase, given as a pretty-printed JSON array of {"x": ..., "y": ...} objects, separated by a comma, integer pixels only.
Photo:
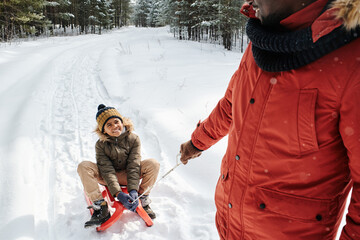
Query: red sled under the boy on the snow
[{"x": 119, "y": 209}]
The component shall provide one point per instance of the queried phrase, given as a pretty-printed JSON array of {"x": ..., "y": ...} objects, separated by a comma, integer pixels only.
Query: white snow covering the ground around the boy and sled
[{"x": 49, "y": 93}]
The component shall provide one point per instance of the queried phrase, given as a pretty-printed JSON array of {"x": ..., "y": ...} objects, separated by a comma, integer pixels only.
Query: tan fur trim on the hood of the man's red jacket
[{"x": 349, "y": 12}]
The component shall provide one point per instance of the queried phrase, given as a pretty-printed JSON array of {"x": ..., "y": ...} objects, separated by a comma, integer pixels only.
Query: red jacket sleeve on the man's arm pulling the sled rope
[{"x": 217, "y": 125}]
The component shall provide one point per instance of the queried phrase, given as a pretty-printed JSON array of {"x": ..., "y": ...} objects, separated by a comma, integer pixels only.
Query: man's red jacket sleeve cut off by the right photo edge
[{"x": 350, "y": 132}]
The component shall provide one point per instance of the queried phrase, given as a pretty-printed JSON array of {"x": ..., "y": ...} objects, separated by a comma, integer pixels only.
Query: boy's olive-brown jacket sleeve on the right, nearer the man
[{"x": 133, "y": 165}]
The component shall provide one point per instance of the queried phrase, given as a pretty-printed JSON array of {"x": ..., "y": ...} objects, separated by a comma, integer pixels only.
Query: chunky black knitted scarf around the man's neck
[{"x": 283, "y": 51}]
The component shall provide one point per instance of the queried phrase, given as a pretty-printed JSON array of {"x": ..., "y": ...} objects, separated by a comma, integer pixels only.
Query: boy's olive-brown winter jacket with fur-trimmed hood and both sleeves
[{"x": 114, "y": 154}]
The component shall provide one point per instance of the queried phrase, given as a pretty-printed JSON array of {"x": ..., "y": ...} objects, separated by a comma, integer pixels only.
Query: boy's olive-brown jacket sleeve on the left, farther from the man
[{"x": 106, "y": 169}]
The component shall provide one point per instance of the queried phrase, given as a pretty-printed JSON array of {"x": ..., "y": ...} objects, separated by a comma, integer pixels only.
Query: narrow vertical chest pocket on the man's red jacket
[{"x": 306, "y": 121}]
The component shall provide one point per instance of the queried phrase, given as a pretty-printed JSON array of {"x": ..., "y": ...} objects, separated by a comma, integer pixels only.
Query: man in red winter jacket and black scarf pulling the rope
[{"x": 293, "y": 123}]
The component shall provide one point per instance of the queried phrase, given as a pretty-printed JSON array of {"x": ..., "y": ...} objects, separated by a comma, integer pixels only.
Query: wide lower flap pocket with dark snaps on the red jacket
[{"x": 296, "y": 207}]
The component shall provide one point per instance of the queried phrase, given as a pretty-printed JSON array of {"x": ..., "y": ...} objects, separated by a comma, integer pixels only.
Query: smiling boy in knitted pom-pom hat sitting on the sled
[{"x": 118, "y": 162}]
